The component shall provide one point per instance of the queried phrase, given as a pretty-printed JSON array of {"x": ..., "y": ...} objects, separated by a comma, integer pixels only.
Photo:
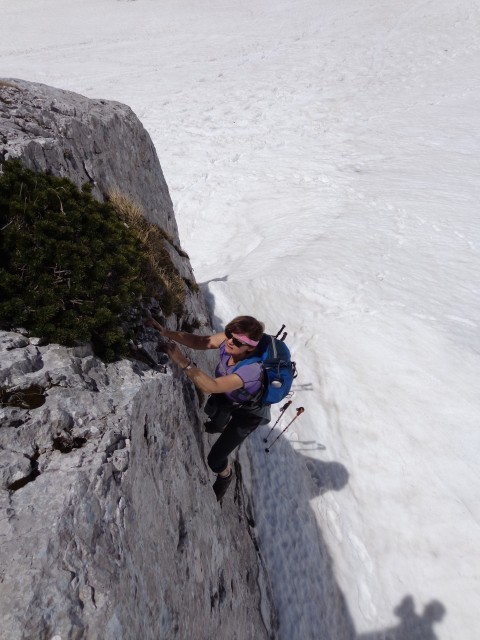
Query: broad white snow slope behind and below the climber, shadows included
[{"x": 323, "y": 159}]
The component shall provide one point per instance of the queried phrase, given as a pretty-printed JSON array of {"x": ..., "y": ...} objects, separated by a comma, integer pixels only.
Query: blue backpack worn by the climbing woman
[{"x": 279, "y": 370}]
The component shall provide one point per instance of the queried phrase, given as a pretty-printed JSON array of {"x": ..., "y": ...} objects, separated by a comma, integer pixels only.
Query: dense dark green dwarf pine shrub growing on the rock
[{"x": 69, "y": 267}]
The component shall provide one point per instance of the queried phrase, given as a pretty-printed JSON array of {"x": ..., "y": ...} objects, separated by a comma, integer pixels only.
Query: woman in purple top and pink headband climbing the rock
[{"x": 231, "y": 406}]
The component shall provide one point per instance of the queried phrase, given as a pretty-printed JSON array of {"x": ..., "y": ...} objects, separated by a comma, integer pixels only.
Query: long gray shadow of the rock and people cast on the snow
[{"x": 307, "y": 596}]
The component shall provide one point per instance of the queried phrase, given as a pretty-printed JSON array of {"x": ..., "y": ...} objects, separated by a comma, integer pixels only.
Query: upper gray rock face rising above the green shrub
[{"x": 95, "y": 141}]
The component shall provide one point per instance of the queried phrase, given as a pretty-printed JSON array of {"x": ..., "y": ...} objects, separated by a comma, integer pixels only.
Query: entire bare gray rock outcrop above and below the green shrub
[{"x": 109, "y": 527}]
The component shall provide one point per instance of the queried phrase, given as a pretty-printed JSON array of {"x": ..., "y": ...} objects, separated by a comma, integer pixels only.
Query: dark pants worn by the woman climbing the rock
[{"x": 240, "y": 422}]
